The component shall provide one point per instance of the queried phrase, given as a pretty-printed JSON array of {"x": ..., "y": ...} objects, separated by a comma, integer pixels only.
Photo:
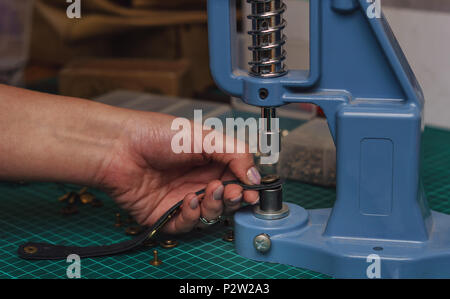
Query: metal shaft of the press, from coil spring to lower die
[{"x": 268, "y": 55}]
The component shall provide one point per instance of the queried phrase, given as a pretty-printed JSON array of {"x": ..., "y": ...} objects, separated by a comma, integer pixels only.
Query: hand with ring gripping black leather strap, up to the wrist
[{"x": 147, "y": 178}]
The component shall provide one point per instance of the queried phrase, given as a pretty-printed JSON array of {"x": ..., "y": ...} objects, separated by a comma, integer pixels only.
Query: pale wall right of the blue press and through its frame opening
[{"x": 423, "y": 35}]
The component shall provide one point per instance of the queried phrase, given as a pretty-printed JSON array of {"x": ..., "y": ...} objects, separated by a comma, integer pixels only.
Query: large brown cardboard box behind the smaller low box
[{"x": 110, "y": 30}]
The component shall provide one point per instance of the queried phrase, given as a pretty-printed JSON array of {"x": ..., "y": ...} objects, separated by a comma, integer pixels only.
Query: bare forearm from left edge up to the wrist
[{"x": 53, "y": 138}]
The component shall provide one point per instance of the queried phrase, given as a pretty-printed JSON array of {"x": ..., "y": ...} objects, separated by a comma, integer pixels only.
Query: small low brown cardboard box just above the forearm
[{"x": 88, "y": 78}]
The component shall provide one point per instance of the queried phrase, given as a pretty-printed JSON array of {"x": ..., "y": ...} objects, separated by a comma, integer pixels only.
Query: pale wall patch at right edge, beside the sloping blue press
[{"x": 425, "y": 39}]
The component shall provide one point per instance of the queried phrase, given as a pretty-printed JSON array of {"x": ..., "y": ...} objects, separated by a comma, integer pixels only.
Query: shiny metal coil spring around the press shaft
[{"x": 268, "y": 39}]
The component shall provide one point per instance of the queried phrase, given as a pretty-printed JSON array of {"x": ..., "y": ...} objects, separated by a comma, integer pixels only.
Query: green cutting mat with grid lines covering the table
[{"x": 31, "y": 213}]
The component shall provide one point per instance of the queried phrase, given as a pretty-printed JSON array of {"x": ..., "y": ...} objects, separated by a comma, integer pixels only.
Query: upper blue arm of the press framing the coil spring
[{"x": 374, "y": 67}]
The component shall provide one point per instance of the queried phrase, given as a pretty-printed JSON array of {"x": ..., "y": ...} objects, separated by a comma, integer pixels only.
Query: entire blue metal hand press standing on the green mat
[{"x": 374, "y": 105}]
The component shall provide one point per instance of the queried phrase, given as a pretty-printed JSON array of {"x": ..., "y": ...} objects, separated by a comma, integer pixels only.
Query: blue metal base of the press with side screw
[{"x": 298, "y": 240}]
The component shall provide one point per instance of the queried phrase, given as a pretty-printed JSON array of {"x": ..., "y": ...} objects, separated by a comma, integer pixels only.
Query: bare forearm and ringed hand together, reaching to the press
[{"x": 127, "y": 153}]
